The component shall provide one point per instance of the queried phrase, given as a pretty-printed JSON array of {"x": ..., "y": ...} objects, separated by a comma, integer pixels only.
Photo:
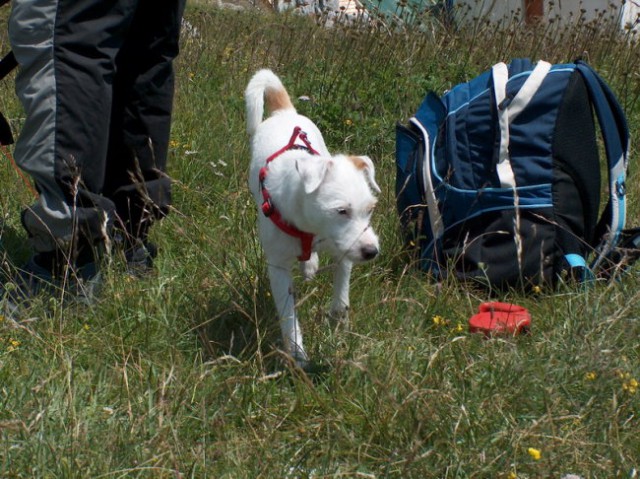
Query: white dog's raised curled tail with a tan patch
[{"x": 264, "y": 86}]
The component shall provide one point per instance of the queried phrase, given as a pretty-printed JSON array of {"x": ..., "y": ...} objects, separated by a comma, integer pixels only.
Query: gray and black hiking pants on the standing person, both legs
[{"x": 96, "y": 84}]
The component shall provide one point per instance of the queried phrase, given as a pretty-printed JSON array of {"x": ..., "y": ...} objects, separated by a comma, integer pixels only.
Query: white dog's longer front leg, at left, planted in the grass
[{"x": 282, "y": 290}]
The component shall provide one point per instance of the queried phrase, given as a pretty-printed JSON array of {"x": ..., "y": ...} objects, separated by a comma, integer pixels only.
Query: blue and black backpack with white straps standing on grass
[{"x": 499, "y": 180}]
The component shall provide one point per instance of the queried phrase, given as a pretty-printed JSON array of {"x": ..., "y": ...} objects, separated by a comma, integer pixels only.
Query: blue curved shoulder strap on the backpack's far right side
[{"x": 615, "y": 133}]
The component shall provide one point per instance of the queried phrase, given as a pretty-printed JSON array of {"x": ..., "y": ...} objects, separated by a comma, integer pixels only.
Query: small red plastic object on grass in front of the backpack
[{"x": 500, "y": 318}]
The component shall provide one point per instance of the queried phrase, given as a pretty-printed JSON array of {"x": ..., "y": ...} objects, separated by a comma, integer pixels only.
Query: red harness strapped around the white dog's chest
[{"x": 268, "y": 208}]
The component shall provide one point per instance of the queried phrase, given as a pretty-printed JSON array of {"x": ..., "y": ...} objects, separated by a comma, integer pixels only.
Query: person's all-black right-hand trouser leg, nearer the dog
[{"x": 136, "y": 178}]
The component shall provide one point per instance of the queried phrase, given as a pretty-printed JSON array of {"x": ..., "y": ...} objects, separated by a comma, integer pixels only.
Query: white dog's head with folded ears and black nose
[{"x": 338, "y": 203}]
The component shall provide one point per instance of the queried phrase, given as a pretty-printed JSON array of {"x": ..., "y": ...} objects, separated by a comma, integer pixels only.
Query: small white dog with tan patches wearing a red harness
[{"x": 308, "y": 201}]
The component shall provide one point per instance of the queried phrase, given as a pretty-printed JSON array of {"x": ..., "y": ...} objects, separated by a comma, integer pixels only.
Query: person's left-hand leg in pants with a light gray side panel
[{"x": 66, "y": 51}]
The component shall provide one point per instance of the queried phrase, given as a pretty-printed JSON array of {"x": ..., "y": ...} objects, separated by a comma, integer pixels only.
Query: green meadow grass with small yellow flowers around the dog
[{"x": 180, "y": 375}]
